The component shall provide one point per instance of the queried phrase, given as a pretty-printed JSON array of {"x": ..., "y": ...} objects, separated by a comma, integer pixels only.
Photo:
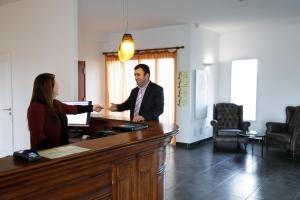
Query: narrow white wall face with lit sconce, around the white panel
[{"x": 204, "y": 47}]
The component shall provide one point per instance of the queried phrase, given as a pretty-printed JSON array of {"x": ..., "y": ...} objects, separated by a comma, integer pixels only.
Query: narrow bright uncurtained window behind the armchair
[{"x": 243, "y": 86}]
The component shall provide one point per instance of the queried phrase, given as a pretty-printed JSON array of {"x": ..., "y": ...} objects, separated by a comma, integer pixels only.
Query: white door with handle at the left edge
[{"x": 6, "y": 130}]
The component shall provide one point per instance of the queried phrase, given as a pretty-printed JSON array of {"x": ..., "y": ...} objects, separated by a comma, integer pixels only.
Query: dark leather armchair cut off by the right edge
[{"x": 285, "y": 134}]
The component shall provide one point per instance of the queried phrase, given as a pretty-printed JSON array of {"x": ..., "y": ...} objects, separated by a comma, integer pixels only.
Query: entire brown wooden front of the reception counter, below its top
[{"x": 137, "y": 176}]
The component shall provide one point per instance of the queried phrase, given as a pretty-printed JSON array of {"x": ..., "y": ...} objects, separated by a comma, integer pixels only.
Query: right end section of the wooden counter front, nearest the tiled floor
[{"x": 140, "y": 177}]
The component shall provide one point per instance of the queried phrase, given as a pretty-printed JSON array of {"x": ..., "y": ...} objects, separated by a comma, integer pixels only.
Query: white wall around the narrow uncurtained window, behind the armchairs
[{"x": 277, "y": 51}]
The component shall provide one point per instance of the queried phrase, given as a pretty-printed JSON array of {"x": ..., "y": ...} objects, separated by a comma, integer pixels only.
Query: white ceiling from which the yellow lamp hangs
[{"x": 218, "y": 15}]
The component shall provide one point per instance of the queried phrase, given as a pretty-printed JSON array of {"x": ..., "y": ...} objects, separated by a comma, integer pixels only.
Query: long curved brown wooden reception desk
[{"x": 128, "y": 165}]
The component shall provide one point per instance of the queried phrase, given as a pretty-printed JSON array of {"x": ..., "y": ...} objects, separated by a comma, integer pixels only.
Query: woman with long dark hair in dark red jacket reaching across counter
[{"x": 46, "y": 115}]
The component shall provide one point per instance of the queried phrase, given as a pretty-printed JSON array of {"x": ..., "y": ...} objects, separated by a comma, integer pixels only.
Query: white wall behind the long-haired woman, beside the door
[{"x": 41, "y": 36}]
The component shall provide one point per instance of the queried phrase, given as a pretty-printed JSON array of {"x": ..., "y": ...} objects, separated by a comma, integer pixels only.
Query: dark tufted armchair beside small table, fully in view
[{"x": 227, "y": 123}]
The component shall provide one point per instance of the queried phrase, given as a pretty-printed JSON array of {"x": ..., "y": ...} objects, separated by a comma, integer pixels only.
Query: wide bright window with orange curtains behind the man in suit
[{"x": 120, "y": 80}]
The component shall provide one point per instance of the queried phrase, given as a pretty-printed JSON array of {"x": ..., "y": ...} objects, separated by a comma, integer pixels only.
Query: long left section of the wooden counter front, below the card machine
[{"x": 81, "y": 178}]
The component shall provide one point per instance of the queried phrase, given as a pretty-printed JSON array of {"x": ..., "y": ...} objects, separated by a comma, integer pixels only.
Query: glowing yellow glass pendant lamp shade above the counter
[{"x": 126, "y": 48}]
